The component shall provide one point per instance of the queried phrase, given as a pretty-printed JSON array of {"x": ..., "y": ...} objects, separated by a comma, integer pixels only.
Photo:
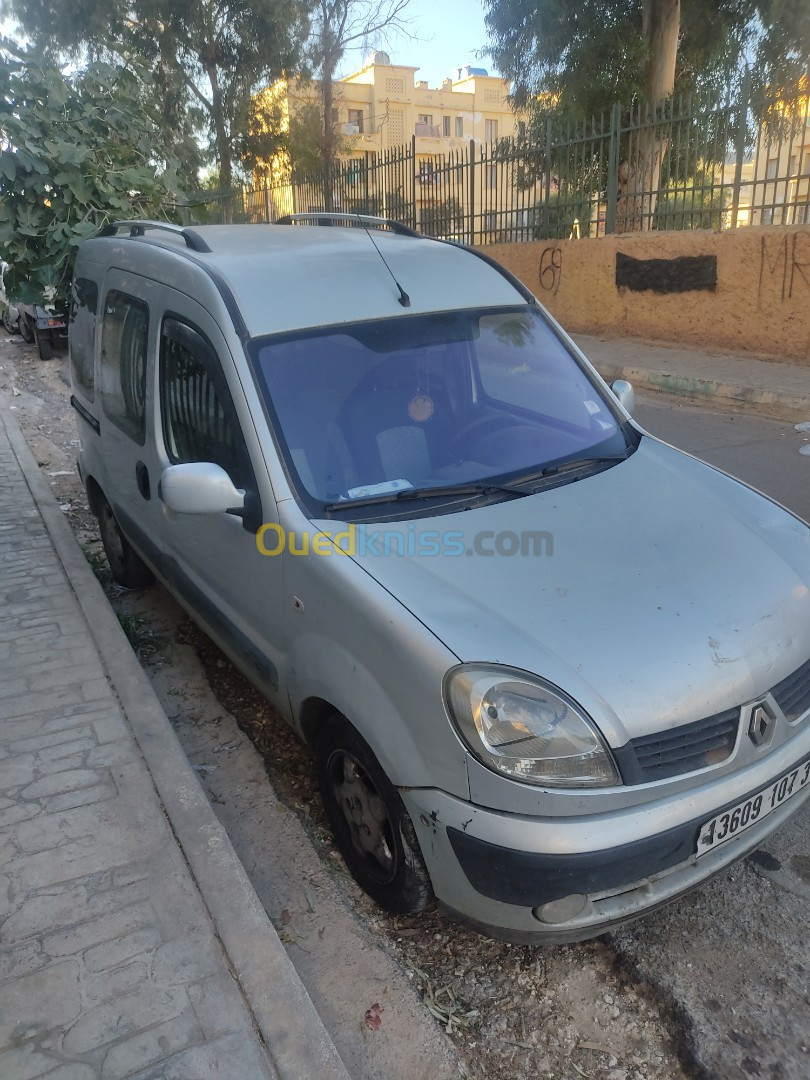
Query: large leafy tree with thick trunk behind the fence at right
[{"x": 580, "y": 59}]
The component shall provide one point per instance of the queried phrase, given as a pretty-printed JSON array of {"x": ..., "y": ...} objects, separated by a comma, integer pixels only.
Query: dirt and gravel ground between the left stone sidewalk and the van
[{"x": 611, "y": 1009}]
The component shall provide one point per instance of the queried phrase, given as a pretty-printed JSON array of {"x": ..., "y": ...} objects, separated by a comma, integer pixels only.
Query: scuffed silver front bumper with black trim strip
[{"x": 499, "y": 887}]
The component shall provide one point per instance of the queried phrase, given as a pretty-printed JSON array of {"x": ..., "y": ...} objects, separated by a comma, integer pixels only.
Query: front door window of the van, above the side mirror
[{"x": 199, "y": 420}]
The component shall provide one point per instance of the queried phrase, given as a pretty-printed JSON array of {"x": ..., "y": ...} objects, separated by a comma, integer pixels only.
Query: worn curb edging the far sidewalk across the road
[{"x": 778, "y": 404}]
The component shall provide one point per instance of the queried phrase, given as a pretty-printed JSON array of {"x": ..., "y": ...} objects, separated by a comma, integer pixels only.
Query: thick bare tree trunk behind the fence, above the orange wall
[{"x": 640, "y": 174}]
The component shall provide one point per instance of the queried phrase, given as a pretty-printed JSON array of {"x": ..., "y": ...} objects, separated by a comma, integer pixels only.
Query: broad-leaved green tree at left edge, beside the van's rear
[{"x": 76, "y": 153}]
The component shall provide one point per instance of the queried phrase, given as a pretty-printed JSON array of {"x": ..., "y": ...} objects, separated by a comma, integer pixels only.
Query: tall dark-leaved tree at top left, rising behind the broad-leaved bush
[{"x": 209, "y": 58}]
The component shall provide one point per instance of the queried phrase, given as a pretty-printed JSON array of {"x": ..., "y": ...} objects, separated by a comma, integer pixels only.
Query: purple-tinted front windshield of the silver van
[{"x": 431, "y": 402}]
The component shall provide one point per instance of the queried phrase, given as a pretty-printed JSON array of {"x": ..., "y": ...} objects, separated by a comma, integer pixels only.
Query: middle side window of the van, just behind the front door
[{"x": 125, "y": 336}]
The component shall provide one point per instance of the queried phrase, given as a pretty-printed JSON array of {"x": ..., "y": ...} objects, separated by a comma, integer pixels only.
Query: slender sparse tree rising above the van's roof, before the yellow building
[{"x": 336, "y": 26}]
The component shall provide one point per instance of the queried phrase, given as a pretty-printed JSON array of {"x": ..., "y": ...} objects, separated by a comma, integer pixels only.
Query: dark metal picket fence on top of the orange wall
[{"x": 688, "y": 165}]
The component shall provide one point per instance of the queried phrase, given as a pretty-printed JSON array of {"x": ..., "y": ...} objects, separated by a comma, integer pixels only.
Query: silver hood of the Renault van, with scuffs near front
[{"x": 667, "y": 593}]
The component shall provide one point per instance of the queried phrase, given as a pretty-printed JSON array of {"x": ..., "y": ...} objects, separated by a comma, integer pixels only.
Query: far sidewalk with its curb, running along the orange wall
[{"x": 723, "y": 381}]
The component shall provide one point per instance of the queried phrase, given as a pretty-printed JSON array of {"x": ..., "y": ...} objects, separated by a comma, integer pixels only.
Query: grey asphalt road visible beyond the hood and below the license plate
[{"x": 731, "y": 960}]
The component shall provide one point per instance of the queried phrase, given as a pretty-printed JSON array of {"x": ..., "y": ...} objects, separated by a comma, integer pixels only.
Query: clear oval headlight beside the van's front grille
[{"x": 526, "y": 731}]
